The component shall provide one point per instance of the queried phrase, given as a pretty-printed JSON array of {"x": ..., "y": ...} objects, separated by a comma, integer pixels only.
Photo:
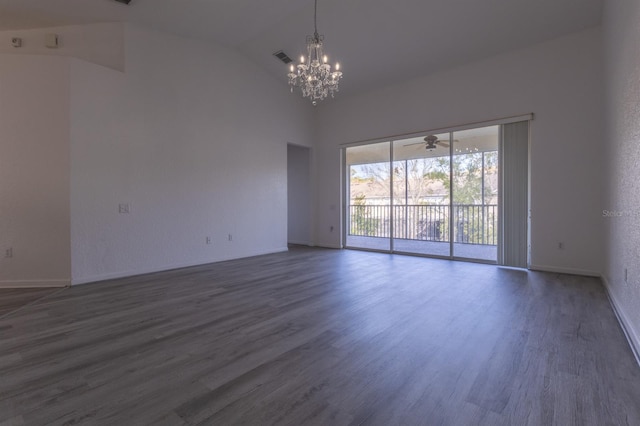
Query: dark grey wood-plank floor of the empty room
[{"x": 321, "y": 337}]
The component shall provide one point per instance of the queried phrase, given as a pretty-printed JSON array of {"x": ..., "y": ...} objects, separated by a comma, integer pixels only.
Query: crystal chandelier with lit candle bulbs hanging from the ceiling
[{"x": 313, "y": 74}]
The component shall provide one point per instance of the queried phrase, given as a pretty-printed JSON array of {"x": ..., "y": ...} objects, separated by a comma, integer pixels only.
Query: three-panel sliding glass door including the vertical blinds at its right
[{"x": 440, "y": 195}]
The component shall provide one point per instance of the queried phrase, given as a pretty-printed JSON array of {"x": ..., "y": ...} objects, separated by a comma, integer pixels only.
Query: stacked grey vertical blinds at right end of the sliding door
[{"x": 515, "y": 200}]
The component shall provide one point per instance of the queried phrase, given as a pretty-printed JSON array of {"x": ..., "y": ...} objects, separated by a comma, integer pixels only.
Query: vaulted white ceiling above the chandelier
[{"x": 377, "y": 42}]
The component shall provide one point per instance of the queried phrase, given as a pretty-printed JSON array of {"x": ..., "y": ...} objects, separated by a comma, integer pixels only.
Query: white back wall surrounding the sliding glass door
[{"x": 560, "y": 81}]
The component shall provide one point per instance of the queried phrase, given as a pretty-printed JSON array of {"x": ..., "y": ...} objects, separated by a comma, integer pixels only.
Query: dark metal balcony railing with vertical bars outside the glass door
[{"x": 473, "y": 223}]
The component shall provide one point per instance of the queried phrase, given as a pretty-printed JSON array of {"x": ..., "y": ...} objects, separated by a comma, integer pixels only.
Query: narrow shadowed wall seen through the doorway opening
[{"x": 299, "y": 194}]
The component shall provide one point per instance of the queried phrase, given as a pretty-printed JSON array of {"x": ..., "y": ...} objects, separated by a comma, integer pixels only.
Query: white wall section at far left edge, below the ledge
[{"x": 34, "y": 171}]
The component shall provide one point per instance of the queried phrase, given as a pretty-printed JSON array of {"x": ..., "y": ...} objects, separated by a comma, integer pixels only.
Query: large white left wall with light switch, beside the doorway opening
[{"x": 194, "y": 139}]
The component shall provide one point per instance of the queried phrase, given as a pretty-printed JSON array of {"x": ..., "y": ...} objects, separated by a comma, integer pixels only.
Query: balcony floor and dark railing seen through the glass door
[{"x": 424, "y": 229}]
